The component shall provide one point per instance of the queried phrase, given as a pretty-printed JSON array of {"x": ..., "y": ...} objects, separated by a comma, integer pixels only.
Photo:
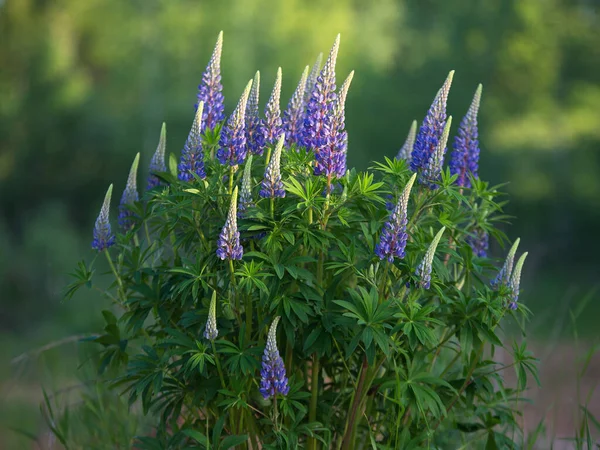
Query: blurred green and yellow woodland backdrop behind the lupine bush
[{"x": 84, "y": 85}]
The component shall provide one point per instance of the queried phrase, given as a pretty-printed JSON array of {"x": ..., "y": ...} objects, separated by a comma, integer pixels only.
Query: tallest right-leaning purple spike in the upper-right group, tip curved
[{"x": 431, "y": 129}]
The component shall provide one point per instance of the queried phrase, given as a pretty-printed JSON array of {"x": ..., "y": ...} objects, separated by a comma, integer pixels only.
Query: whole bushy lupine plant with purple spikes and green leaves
[{"x": 303, "y": 313}]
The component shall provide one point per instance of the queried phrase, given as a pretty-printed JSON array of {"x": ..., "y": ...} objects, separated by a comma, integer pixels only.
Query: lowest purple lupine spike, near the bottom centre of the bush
[{"x": 273, "y": 378}]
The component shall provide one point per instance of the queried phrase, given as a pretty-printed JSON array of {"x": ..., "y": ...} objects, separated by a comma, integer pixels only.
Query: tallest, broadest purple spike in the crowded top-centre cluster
[{"x": 319, "y": 110}]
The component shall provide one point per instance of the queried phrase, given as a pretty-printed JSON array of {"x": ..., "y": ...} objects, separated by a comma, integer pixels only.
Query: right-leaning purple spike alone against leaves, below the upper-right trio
[{"x": 392, "y": 243}]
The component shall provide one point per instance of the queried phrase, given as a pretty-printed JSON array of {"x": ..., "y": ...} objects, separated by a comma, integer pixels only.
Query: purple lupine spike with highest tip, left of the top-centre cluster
[{"x": 210, "y": 90}]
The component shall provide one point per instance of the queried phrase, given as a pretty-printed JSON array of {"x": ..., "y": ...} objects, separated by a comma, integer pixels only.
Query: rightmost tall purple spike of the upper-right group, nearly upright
[{"x": 465, "y": 157}]
